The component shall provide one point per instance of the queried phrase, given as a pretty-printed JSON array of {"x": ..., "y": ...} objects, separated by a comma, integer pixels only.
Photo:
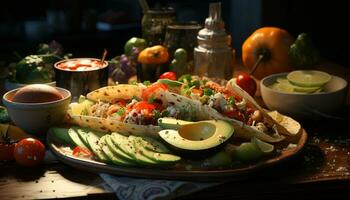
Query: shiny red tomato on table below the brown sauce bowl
[{"x": 29, "y": 152}]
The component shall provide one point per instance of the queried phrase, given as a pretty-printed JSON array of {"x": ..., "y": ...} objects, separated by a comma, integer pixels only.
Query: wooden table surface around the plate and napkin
[{"x": 322, "y": 169}]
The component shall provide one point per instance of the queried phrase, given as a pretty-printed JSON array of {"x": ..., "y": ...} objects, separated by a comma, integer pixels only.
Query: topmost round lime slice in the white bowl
[{"x": 308, "y": 78}]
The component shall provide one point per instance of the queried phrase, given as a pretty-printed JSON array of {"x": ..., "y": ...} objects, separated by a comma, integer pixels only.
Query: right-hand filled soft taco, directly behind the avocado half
[{"x": 231, "y": 103}]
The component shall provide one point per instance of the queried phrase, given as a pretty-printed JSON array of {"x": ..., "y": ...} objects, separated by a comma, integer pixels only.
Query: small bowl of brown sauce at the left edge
[{"x": 35, "y": 108}]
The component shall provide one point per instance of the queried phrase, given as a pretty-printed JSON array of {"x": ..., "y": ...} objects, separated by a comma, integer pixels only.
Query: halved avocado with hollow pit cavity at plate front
[{"x": 197, "y": 136}]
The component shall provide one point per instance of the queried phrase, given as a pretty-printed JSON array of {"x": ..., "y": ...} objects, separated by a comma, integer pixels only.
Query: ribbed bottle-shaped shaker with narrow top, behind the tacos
[{"x": 213, "y": 56}]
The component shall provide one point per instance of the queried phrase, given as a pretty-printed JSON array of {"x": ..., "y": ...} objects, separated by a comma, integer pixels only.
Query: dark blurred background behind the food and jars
[{"x": 24, "y": 24}]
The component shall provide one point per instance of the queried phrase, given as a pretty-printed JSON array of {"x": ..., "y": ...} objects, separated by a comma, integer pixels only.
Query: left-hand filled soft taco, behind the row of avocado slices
[{"x": 129, "y": 109}]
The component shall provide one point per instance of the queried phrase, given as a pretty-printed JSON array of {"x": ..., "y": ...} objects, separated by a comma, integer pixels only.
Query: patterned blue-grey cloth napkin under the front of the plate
[{"x": 127, "y": 188}]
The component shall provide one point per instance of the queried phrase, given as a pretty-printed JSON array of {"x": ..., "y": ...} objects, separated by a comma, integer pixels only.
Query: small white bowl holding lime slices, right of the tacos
[{"x": 304, "y": 94}]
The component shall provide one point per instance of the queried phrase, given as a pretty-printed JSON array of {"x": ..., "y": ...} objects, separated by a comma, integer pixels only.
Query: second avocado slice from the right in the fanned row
[{"x": 128, "y": 147}]
